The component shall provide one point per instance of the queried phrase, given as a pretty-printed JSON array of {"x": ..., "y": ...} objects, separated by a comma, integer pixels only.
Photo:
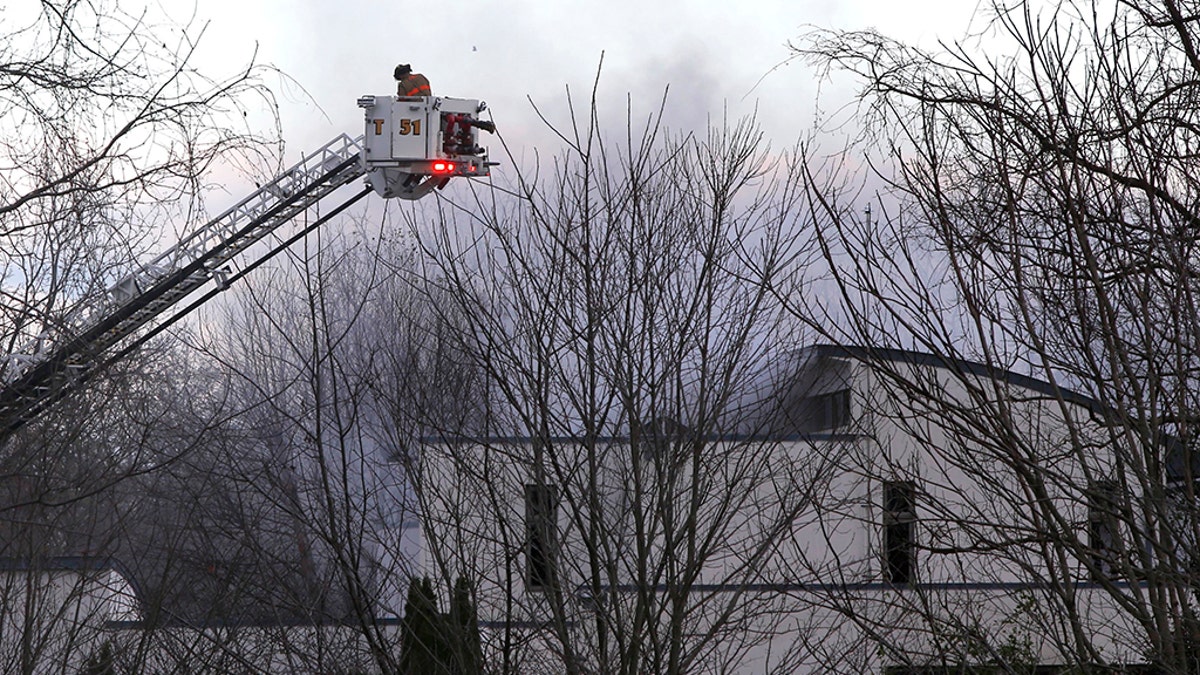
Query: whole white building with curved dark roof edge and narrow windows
[{"x": 856, "y": 512}]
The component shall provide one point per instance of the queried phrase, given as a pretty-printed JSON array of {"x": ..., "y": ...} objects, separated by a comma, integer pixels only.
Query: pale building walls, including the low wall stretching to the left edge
[{"x": 793, "y": 572}]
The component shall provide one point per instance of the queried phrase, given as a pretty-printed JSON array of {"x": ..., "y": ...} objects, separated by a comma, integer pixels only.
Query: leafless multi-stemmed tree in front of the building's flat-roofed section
[{"x": 619, "y": 503}]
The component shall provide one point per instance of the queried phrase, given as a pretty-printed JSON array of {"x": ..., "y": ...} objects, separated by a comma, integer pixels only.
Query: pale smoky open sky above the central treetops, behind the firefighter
[{"x": 713, "y": 56}]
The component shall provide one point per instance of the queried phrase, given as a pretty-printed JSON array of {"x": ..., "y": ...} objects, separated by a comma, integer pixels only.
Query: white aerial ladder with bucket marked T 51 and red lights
[{"x": 411, "y": 147}]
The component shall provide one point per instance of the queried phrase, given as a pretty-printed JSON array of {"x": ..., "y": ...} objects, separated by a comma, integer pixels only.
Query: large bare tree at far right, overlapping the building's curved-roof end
[{"x": 1037, "y": 214}]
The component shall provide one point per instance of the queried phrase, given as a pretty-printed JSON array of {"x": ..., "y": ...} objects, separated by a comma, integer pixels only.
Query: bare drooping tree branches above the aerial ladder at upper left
[{"x": 109, "y": 133}]
